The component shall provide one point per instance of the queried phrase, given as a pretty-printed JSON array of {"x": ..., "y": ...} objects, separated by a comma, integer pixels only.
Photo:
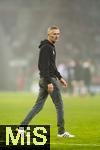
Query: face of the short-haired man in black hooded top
[{"x": 54, "y": 35}]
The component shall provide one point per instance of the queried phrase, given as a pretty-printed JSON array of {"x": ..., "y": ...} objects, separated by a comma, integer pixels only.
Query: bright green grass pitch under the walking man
[{"x": 82, "y": 118}]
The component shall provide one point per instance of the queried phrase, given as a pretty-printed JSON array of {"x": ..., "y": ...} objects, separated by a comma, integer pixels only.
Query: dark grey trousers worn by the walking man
[{"x": 57, "y": 100}]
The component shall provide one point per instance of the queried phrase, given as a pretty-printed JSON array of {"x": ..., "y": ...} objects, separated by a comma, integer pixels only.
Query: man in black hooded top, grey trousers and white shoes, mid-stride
[{"x": 48, "y": 82}]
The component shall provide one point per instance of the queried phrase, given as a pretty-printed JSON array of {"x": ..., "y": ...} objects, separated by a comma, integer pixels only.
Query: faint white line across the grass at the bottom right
[{"x": 76, "y": 144}]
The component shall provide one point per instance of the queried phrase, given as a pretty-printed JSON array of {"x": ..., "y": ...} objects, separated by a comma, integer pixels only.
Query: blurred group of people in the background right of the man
[{"x": 79, "y": 76}]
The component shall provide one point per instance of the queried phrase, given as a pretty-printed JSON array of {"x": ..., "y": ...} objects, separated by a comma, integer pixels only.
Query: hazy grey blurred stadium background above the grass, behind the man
[{"x": 23, "y": 24}]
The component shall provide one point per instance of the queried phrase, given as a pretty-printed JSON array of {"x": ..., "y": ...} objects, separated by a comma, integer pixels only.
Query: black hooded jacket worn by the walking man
[{"x": 46, "y": 63}]
